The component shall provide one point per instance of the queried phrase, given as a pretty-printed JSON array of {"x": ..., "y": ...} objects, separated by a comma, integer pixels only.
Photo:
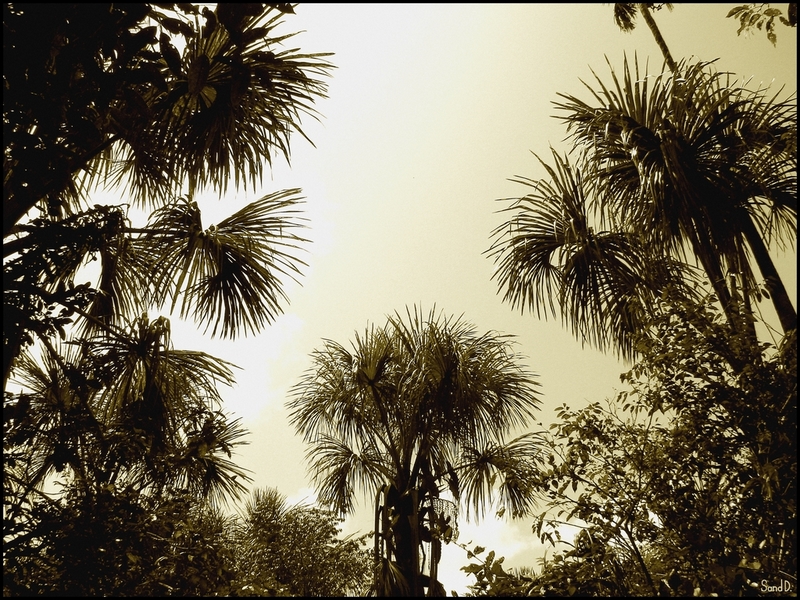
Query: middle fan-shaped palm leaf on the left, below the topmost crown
[{"x": 230, "y": 274}]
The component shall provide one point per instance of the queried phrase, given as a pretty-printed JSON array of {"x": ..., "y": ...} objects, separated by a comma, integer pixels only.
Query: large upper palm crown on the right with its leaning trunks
[{"x": 697, "y": 160}]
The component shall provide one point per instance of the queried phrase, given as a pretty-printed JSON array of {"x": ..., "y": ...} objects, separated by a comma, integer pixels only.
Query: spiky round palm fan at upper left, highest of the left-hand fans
[{"x": 222, "y": 110}]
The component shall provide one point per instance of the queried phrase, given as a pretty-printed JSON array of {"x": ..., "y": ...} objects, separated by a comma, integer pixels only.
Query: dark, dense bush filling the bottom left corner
[{"x": 121, "y": 543}]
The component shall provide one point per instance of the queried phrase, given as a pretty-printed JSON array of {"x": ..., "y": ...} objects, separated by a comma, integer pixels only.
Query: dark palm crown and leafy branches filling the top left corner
[{"x": 152, "y": 118}]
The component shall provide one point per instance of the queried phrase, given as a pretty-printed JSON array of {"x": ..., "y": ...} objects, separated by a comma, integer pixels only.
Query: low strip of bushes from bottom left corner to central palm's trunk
[{"x": 122, "y": 543}]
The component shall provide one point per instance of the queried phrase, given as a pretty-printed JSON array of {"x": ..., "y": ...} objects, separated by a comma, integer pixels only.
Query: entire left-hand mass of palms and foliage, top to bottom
[{"x": 155, "y": 102}]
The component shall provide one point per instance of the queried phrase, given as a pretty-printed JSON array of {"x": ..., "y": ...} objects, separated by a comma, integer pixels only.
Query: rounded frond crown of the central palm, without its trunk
[{"x": 416, "y": 401}]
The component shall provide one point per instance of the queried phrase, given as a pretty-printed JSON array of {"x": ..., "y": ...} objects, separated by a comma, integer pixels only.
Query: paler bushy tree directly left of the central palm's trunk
[{"x": 295, "y": 551}]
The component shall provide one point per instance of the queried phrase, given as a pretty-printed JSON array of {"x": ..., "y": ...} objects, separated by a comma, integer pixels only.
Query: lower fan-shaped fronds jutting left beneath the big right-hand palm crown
[{"x": 548, "y": 254}]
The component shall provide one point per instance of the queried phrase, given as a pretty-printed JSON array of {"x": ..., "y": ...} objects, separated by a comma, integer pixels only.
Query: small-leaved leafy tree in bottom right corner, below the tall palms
[{"x": 685, "y": 485}]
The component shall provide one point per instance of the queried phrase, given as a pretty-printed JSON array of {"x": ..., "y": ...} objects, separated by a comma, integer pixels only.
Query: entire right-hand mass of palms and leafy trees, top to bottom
[{"x": 686, "y": 483}]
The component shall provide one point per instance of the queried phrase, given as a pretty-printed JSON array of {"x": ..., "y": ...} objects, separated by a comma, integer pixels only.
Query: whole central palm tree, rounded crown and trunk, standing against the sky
[{"x": 419, "y": 406}]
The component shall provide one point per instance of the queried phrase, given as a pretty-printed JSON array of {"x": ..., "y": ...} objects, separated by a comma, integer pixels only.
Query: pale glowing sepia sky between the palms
[{"x": 432, "y": 108}]
